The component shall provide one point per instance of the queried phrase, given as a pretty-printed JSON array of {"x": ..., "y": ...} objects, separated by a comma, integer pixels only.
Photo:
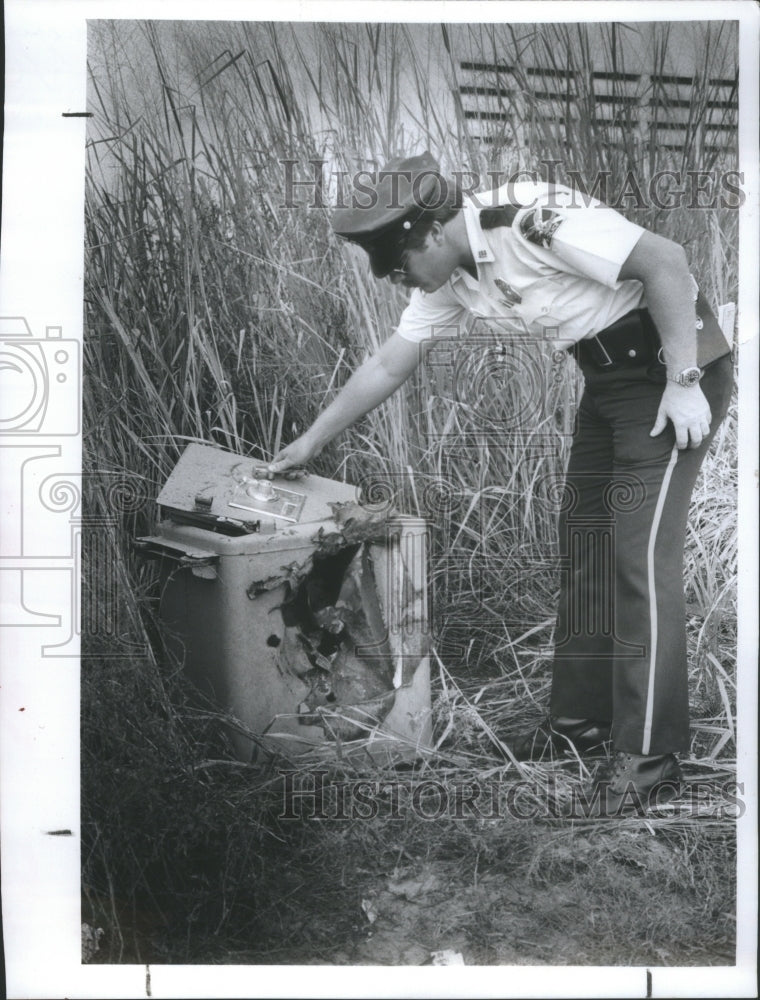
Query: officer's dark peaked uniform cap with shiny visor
[{"x": 383, "y": 211}]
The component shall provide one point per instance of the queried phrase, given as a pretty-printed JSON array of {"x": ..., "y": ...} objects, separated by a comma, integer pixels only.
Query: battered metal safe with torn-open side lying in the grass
[{"x": 302, "y": 614}]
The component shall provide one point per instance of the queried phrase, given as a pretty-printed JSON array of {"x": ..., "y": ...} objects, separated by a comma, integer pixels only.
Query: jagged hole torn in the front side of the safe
[{"x": 336, "y": 641}]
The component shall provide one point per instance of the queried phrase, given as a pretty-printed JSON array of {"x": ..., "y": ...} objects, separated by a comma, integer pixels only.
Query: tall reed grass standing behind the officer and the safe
[{"x": 216, "y": 312}]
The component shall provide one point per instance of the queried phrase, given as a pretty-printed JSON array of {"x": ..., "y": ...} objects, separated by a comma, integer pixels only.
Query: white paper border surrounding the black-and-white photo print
[{"x": 42, "y": 282}]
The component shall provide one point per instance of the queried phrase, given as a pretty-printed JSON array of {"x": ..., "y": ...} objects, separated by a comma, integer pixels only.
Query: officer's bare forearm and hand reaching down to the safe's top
[{"x": 370, "y": 384}]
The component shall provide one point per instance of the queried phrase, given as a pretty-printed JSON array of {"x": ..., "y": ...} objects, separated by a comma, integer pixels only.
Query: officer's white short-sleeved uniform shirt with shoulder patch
[{"x": 551, "y": 274}]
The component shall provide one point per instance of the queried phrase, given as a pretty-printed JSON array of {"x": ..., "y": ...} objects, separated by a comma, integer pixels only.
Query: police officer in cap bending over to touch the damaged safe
[{"x": 658, "y": 377}]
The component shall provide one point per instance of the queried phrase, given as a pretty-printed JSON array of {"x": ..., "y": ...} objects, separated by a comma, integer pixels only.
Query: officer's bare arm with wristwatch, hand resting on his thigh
[{"x": 661, "y": 266}]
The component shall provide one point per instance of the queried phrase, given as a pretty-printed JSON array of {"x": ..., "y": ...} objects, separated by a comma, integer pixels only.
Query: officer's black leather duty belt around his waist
[{"x": 633, "y": 341}]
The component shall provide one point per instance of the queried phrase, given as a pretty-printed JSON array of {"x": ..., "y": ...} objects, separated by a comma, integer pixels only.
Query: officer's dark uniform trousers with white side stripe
[{"x": 620, "y": 645}]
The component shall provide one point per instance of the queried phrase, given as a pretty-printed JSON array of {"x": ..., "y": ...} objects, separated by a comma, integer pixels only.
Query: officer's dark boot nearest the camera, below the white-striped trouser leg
[{"x": 629, "y": 785}]
